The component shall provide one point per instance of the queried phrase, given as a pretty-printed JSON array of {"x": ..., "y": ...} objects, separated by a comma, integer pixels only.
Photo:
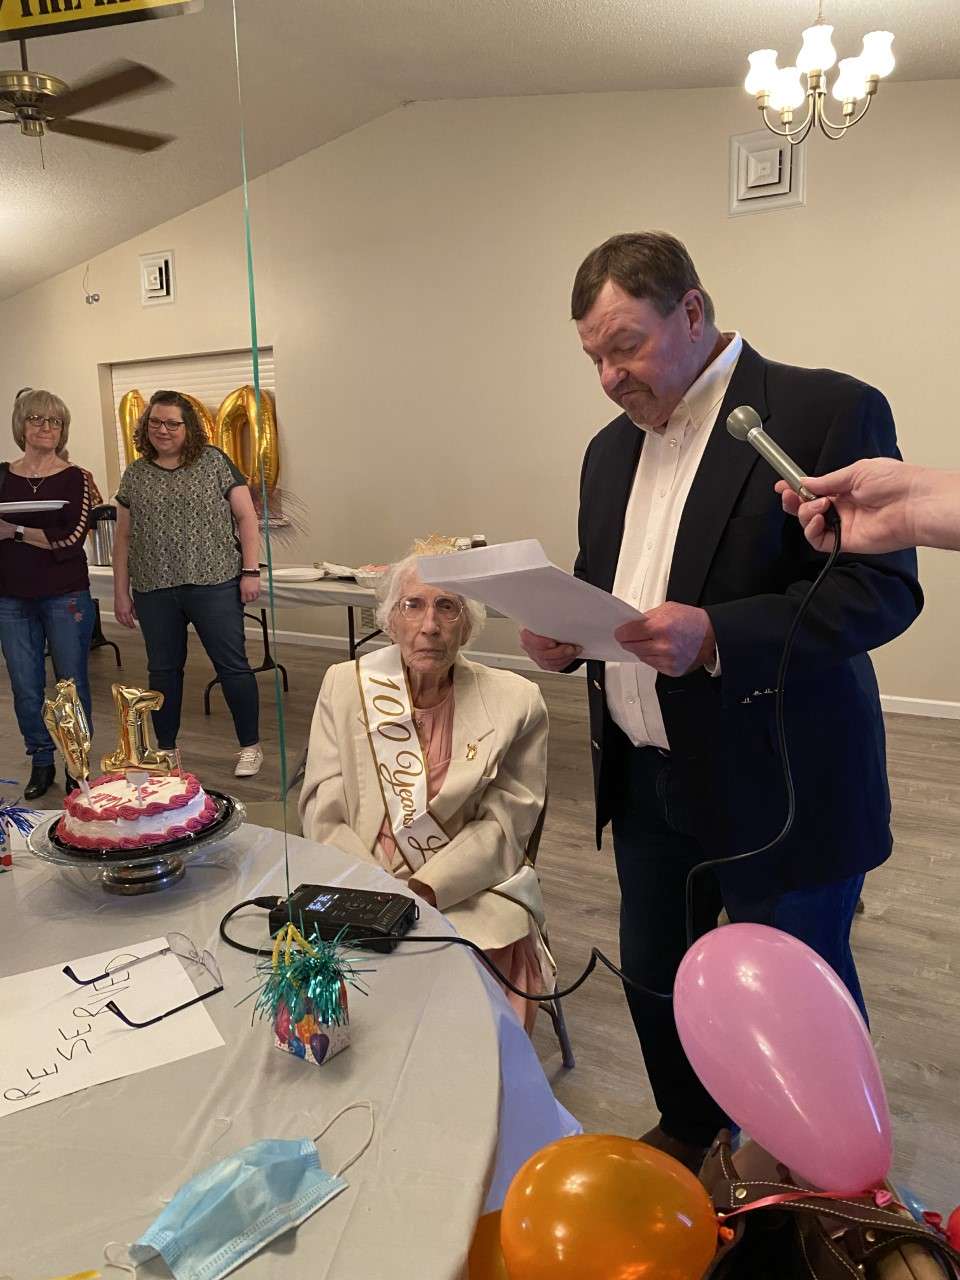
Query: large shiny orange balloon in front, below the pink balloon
[{"x": 601, "y": 1208}]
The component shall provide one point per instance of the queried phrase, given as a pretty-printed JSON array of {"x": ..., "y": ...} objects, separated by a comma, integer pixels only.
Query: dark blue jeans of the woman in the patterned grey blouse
[{"x": 217, "y": 614}]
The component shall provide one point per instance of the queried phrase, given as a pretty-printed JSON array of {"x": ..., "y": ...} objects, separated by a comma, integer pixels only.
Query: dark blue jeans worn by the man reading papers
[{"x": 655, "y": 848}]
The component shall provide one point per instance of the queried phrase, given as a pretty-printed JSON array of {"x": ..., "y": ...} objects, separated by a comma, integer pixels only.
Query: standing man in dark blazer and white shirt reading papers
[{"x": 682, "y": 520}]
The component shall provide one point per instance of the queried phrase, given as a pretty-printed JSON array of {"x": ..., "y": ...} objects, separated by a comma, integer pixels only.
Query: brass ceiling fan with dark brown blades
[{"x": 42, "y": 103}]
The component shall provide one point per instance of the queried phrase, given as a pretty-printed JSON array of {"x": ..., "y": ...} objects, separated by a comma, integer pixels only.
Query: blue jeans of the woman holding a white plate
[{"x": 65, "y": 623}]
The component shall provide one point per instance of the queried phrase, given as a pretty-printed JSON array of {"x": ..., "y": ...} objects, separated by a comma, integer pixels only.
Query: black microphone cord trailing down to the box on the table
[{"x": 596, "y": 954}]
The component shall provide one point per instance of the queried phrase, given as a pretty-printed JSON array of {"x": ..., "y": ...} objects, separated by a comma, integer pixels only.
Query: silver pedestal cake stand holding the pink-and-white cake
[{"x": 131, "y": 871}]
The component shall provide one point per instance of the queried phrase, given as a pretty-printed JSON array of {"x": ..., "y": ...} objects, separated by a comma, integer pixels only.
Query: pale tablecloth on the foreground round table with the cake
[{"x": 459, "y": 1095}]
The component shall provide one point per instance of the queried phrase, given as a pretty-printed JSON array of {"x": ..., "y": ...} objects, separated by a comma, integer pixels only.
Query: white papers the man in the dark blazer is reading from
[{"x": 520, "y": 582}]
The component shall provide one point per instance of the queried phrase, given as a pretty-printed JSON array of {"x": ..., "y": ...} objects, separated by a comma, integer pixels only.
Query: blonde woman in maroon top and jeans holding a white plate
[{"x": 44, "y": 586}]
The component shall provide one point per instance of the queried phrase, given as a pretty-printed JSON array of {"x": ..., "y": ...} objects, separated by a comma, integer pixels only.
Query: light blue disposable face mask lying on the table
[{"x": 234, "y": 1209}]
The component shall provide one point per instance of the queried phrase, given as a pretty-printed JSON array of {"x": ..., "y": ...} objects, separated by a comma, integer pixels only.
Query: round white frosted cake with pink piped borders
[{"x": 121, "y": 816}]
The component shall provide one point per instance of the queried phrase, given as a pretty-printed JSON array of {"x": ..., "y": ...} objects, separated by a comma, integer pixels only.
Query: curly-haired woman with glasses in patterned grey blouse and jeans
[{"x": 188, "y": 545}]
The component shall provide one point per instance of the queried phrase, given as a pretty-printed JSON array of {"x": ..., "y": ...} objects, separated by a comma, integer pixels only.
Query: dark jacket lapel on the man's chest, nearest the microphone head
[{"x": 717, "y": 484}]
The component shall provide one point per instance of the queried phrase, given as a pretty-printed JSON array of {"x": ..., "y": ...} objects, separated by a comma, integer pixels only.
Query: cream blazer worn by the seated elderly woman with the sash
[{"x": 488, "y": 804}]
